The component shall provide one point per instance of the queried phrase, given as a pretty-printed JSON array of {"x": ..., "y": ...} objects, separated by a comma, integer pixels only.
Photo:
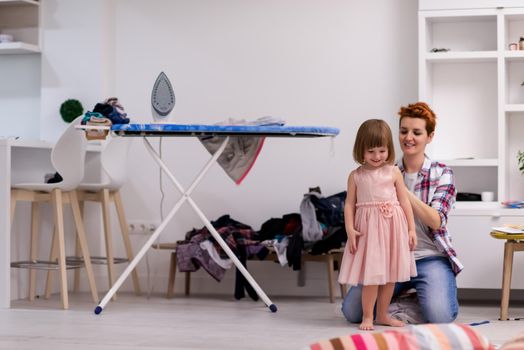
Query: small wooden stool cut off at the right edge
[{"x": 513, "y": 244}]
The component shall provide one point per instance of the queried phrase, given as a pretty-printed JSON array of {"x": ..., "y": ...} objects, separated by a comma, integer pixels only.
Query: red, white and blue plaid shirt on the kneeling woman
[{"x": 436, "y": 187}]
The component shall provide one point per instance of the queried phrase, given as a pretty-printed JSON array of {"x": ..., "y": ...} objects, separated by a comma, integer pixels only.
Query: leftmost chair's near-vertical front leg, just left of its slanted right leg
[{"x": 58, "y": 209}]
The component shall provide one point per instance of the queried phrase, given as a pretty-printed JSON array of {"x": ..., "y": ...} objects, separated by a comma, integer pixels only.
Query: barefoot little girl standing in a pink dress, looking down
[{"x": 379, "y": 223}]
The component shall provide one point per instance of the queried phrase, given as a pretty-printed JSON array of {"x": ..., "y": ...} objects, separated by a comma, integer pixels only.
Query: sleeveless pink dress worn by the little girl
[{"x": 383, "y": 254}]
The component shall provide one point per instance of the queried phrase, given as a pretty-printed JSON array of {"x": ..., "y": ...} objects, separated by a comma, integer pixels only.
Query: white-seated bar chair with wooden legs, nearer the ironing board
[{"x": 114, "y": 164}]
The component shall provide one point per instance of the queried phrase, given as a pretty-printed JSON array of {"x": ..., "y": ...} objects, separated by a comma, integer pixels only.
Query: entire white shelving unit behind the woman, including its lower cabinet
[{"x": 475, "y": 90}]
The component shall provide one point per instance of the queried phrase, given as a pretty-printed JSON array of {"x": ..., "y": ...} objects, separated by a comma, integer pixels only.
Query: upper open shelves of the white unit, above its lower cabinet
[{"x": 475, "y": 85}]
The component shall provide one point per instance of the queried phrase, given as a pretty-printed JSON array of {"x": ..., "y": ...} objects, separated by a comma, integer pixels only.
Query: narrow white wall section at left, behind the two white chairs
[{"x": 76, "y": 57}]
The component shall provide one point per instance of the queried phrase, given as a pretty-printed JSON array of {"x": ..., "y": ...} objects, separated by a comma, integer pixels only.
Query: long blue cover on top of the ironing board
[{"x": 222, "y": 130}]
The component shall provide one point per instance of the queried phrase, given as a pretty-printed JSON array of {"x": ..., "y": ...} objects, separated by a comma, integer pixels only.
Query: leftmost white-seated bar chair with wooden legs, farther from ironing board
[{"x": 67, "y": 157}]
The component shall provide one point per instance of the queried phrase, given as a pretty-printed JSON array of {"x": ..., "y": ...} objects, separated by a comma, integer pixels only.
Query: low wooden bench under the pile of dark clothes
[{"x": 329, "y": 258}]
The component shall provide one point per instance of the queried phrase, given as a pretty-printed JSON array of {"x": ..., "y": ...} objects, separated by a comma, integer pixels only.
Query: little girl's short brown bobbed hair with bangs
[{"x": 373, "y": 133}]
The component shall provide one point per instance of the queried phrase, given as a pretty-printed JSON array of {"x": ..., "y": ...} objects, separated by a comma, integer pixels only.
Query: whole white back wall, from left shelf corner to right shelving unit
[{"x": 331, "y": 63}]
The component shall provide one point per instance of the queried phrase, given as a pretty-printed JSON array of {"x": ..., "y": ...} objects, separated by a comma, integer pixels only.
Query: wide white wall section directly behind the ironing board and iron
[{"x": 302, "y": 61}]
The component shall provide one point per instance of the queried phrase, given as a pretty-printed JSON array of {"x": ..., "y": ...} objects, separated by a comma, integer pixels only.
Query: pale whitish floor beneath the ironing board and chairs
[{"x": 198, "y": 322}]
